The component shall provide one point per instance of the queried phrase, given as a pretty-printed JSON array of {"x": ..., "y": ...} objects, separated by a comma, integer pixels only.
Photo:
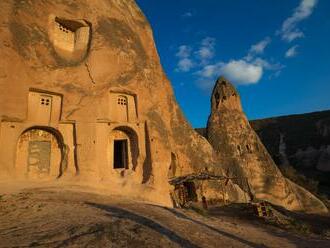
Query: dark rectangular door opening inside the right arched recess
[{"x": 120, "y": 154}]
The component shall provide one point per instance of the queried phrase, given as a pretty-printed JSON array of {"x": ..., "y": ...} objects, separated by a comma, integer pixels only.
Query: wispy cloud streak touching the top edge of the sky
[{"x": 289, "y": 30}]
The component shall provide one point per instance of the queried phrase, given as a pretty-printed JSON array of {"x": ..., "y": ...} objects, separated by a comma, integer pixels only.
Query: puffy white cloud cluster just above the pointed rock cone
[{"x": 245, "y": 71}]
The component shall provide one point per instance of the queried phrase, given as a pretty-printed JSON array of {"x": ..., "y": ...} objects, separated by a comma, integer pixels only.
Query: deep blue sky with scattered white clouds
[{"x": 276, "y": 52}]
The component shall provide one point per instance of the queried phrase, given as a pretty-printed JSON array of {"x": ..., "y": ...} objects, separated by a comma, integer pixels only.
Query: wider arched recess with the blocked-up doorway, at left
[{"x": 40, "y": 154}]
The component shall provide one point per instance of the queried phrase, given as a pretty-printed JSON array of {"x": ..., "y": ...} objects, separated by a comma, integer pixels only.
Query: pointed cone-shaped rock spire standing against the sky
[{"x": 243, "y": 155}]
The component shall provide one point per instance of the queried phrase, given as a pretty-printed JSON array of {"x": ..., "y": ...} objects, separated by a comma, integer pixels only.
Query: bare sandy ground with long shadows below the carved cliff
[{"x": 64, "y": 217}]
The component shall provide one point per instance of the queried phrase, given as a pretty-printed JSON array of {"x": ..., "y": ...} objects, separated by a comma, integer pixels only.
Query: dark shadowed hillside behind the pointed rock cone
[{"x": 302, "y": 141}]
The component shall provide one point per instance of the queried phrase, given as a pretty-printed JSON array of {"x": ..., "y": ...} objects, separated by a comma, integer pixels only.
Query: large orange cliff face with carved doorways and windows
[{"x": 84, "y": 99}]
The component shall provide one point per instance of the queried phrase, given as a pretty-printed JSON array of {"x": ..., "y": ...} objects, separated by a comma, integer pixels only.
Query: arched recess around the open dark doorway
[{"x": 124, "y": 148}]
